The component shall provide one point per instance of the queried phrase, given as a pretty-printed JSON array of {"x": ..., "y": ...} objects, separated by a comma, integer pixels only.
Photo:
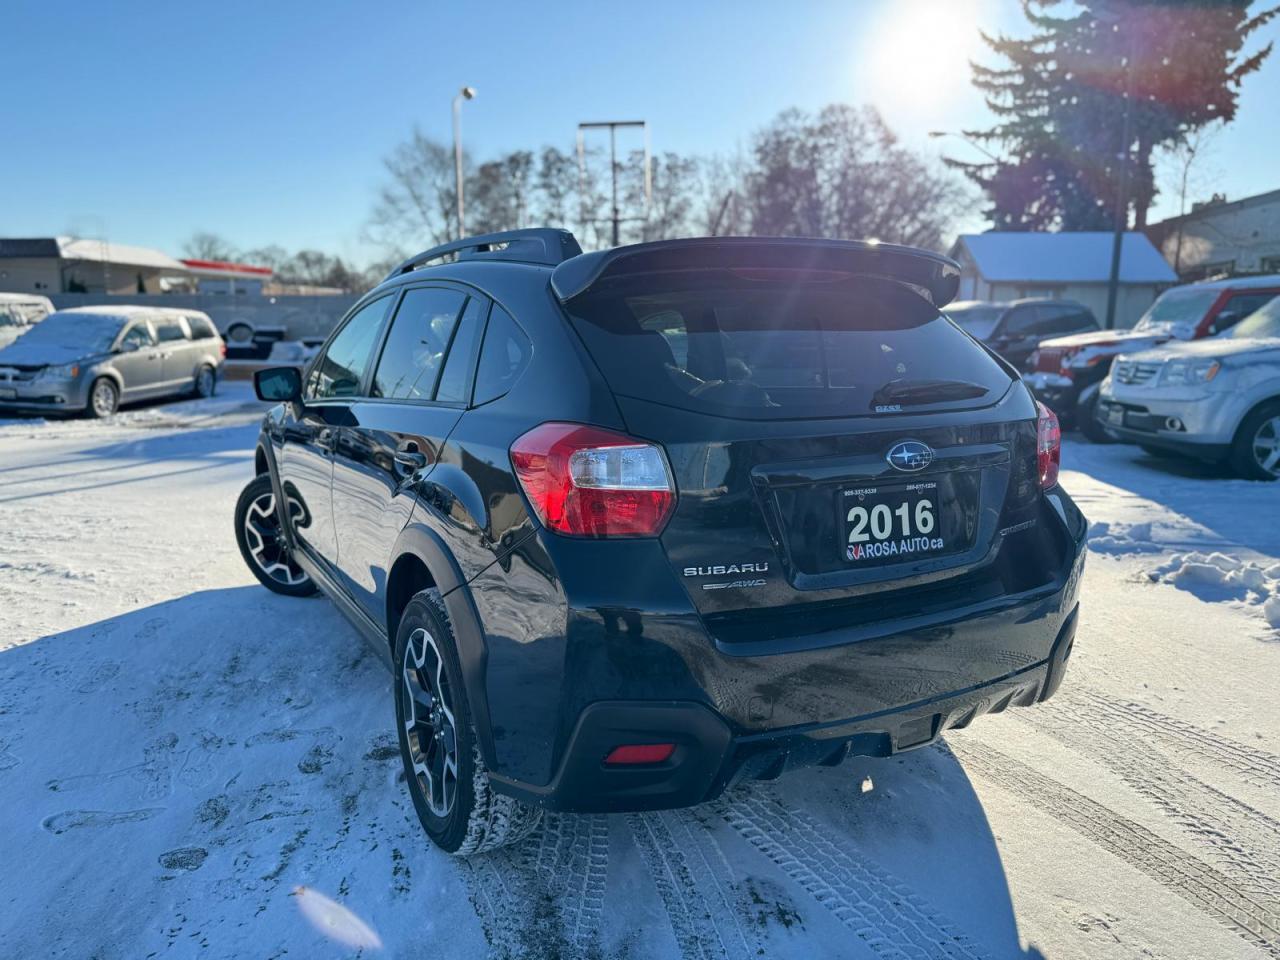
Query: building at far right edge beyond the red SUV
[{"x": 1220, "y": 237}]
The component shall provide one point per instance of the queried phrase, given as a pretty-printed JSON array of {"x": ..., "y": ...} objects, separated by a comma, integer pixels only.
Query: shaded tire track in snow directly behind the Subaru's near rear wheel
[{"x": 546, "y": 897}]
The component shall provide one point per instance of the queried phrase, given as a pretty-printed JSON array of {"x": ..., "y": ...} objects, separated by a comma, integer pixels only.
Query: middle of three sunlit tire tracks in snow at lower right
[{"x": 1240, "y": 839}]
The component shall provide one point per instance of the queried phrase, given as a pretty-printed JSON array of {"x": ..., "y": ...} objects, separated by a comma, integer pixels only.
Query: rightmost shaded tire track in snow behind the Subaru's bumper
[{"x": 879, "y": 908}]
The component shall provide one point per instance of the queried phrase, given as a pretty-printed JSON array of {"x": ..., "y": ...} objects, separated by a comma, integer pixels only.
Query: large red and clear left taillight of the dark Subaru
[{"x": 589, "y": 482}]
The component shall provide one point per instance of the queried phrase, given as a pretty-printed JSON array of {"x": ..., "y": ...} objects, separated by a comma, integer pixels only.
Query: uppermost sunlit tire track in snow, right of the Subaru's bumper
[{"x": 1100, "y": 712}]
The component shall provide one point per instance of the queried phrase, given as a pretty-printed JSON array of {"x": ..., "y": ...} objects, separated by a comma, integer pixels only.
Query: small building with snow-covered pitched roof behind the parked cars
[{"x": 1003, "y": 267}]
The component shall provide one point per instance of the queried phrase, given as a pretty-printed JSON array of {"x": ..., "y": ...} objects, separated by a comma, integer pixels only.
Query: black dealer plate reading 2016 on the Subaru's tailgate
[{"x": 897, "y": 524}]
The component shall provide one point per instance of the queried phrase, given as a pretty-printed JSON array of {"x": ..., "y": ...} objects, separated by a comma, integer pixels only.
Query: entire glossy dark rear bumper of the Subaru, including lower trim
[{"x": 885, "y": 678}]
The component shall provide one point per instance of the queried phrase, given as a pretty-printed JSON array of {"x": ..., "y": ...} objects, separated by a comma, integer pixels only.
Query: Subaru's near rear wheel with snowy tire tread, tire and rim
[{"x": 446, "y": 775}]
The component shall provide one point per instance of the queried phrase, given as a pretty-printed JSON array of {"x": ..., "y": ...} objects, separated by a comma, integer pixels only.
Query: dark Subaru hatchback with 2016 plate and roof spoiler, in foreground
[{"x": 636, "y": 525}]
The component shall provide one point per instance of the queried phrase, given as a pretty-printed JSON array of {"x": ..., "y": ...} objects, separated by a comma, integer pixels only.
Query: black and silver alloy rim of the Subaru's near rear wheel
[{"x": 429, "y": 725}]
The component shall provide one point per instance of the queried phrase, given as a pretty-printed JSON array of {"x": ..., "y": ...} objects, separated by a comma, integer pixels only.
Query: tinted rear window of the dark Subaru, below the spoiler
[{"x": 783, "y": 348}]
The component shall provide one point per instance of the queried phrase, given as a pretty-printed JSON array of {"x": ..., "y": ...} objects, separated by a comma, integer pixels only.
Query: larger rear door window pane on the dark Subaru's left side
[{"x": 417, "y": 345}]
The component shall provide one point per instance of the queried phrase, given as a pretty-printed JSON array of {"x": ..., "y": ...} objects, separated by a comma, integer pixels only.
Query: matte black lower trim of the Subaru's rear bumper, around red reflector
[{"x": 710, "y": 757}]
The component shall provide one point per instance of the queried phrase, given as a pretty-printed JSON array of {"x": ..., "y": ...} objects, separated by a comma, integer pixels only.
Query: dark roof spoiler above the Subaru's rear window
[{"x": 936, "y": 276}]
